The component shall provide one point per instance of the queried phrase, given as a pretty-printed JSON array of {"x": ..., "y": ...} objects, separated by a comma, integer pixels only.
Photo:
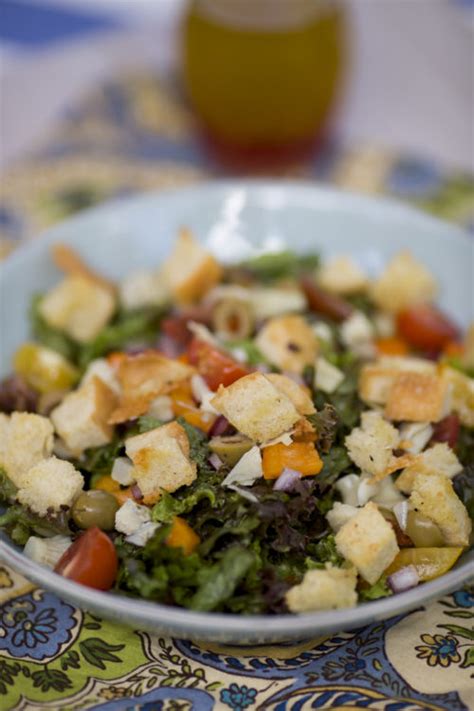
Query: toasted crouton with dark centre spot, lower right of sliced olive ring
[{"x": 288, "y": 342}]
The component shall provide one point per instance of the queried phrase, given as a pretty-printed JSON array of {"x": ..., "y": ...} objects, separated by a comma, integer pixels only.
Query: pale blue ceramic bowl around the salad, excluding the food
[{"x": 236, "y": 219}]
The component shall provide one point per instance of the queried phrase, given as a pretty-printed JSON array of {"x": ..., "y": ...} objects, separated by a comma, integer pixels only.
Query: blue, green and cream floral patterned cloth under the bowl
[{"x": 135, "y": 135}]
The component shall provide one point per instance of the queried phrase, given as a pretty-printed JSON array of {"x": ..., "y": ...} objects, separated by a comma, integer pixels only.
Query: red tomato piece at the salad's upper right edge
[{"x": 424, "y": 326}]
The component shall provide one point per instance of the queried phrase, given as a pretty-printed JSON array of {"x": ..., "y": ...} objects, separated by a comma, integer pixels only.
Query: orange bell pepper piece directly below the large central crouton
[{"x": 301, "y": 456}]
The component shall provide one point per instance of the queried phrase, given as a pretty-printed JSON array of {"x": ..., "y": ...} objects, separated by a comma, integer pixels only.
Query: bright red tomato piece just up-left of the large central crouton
[{"x": 215, "y": 367}]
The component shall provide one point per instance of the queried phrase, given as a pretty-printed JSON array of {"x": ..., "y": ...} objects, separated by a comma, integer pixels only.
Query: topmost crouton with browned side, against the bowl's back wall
[{"x": 190, "y": 271}]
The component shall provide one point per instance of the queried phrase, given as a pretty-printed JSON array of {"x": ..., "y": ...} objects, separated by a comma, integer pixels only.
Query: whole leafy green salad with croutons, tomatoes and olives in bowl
[{"x": 281, "y": 435}]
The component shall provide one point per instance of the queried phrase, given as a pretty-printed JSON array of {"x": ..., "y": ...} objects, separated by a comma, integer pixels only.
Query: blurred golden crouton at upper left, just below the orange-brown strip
[{"x": 78, "y": 306}]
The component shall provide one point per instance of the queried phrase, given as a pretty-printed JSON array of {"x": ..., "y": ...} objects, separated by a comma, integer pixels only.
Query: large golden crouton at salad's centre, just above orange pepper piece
[{"x": 256, "y": 407}]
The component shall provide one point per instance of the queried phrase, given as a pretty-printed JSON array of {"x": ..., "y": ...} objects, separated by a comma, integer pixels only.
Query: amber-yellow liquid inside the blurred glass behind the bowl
[{"x": 263, "y": 87}]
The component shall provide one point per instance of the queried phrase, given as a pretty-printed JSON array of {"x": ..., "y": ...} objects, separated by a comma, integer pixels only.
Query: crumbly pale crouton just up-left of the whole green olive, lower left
[{"x": 50, "y": 485}]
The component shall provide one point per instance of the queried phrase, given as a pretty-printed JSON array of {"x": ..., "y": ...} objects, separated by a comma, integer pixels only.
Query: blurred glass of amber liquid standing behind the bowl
[{"x": 263, "y": 75}]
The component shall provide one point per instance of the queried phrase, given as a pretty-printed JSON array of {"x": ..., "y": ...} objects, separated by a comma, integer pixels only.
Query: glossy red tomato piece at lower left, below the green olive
[{"x": 91, "y": 560}]
